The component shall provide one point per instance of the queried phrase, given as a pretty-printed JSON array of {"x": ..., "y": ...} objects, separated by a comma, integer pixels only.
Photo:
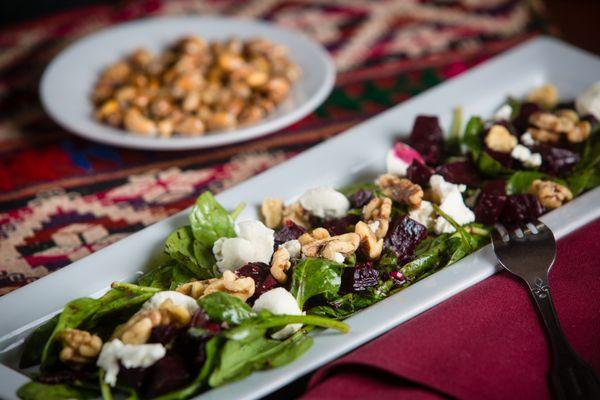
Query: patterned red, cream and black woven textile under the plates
[{"x": 62, "y": 198}]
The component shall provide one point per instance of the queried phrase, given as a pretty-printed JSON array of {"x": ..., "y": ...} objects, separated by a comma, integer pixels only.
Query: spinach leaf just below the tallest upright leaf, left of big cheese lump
[{"x": 182, "y": 247}]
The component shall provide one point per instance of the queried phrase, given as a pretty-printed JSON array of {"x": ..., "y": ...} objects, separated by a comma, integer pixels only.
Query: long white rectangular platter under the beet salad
[{"x": 356, "y": 155}]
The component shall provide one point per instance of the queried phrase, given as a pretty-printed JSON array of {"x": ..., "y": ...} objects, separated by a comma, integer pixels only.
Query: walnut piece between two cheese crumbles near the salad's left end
[{"x": 138, "y": 328}]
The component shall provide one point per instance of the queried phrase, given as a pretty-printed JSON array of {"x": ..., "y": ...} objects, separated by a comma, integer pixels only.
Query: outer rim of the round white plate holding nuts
[{"x": 121, "y": 138}]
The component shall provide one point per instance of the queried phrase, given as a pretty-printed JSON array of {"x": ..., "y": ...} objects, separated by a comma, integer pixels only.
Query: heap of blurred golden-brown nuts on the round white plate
[{"x": 194, "y": 87}]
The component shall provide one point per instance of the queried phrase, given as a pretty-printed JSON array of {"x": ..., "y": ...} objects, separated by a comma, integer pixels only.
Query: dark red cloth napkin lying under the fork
[{"x": 484, "y": 343}]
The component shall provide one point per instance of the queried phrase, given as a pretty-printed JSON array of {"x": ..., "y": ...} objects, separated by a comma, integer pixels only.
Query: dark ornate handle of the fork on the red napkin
[{"x": 571, "y": 377}]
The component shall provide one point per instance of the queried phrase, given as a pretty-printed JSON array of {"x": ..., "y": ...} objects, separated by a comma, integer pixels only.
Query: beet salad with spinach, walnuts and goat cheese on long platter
[{"x": 234, "y": 297}]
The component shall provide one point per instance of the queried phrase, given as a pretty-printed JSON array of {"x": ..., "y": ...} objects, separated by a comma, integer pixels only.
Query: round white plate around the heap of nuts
[{"x": 68, "y": 81}]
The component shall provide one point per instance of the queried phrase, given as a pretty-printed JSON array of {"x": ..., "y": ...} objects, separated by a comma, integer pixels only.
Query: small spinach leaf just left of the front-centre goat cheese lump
[{"x": 223, "y": 307}]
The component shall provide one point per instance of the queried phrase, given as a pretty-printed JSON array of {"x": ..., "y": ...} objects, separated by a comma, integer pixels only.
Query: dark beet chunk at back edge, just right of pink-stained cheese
[{"x": 428, "y": 139}]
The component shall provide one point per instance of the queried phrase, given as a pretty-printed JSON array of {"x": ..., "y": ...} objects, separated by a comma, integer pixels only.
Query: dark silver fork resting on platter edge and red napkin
[{"x": 528, "y": 251}]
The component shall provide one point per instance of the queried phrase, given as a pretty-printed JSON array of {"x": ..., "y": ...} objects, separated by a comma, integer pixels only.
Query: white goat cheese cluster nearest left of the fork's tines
[{"x": 451, "y": 202}]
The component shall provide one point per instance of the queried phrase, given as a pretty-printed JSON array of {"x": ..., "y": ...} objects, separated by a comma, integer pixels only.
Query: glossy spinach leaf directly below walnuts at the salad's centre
[{"x": 313, "y": 276}]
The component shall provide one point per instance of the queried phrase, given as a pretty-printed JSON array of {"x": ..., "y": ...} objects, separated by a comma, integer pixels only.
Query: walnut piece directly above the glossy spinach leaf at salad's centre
[{"x": 335, "y": 248}]
